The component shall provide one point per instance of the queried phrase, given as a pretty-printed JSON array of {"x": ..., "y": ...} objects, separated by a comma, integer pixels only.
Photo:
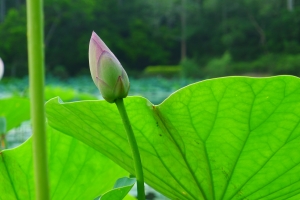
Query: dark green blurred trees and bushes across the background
[{"x": 201, "y": 38}]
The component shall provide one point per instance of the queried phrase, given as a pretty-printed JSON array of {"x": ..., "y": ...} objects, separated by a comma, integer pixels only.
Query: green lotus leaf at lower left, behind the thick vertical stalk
[{"x": 76, "y": 170}]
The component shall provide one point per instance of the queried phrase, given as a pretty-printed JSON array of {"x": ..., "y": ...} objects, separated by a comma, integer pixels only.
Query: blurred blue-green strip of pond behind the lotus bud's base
[{"x": 156, "y": 89}]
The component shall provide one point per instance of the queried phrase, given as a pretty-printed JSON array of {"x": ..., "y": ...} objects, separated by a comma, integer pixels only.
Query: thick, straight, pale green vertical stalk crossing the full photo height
[{"x": 36, "y": 86}]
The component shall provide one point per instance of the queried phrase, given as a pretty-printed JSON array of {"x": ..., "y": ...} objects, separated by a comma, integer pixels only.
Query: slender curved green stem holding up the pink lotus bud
[{"x": 134, "y": 148}]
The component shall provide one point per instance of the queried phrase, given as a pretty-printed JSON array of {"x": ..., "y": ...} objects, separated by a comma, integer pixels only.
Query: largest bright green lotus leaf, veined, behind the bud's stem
[{"x": 227, "y": 138}]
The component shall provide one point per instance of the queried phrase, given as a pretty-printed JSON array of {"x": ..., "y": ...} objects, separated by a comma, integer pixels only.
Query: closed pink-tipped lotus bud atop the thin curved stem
[{"x": 107, "y": 72}]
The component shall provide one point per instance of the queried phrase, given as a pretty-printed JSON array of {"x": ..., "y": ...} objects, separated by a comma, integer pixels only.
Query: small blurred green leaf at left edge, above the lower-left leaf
[{"x": 15, "y": 110}]
